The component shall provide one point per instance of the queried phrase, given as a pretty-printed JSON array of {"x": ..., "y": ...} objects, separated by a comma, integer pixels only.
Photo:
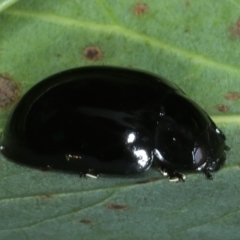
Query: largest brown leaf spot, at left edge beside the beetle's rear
[{"x": 9, "y": 91}]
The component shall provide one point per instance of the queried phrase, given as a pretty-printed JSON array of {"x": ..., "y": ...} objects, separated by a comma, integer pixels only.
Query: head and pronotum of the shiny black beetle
[{"x": 186, "y": 138}]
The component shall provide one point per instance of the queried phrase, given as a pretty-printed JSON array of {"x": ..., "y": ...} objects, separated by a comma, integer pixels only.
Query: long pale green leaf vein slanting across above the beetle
[{"x": 128, "y": 33}]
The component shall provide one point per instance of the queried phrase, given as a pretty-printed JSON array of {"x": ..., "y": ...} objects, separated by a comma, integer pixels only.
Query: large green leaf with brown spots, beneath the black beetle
[{"x": 192, "y": 43}]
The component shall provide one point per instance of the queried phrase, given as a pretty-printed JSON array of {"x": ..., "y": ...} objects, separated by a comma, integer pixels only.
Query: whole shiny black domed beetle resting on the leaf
[{"x": 112, "y": 120}]
